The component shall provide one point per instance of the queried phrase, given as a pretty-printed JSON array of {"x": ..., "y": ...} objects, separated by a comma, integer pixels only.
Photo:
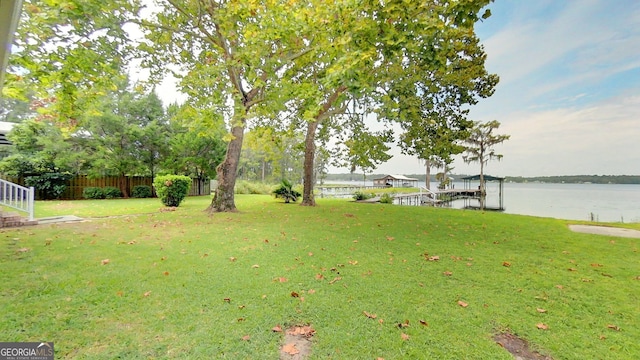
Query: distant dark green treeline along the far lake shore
[{"x": 570, "y": 179}]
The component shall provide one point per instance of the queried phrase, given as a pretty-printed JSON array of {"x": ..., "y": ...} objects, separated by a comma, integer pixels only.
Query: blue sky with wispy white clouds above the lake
[{"x": 569, "y": 91}]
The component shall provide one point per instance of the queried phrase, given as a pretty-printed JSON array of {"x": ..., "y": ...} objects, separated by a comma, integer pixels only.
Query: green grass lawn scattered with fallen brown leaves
[{"x": 183, "y": 284}]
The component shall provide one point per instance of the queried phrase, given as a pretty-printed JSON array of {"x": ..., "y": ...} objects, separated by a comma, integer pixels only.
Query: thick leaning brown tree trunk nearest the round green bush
[{"x": 224, "y": 198}]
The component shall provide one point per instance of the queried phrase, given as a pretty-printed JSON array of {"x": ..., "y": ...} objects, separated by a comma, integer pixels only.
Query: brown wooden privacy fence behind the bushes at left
[{"x": 76, "y": 185}]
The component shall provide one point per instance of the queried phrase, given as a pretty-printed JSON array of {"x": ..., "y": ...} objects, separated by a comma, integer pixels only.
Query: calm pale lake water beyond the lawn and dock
[{"x": 598, "y": 202}]
